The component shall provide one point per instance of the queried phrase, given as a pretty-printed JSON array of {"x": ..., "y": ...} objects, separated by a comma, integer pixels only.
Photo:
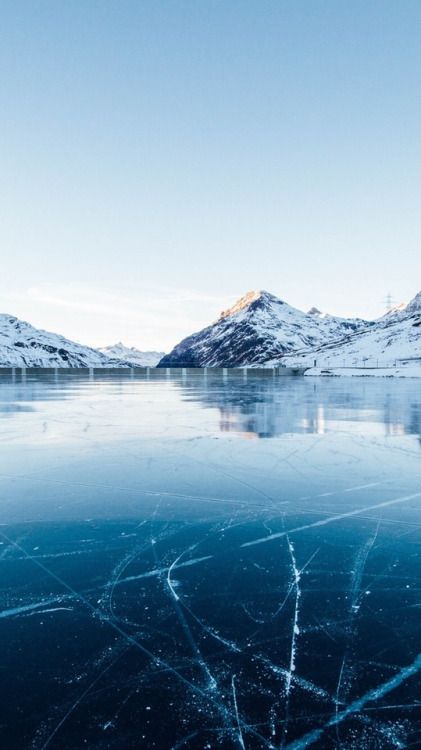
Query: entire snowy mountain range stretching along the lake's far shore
[{"x": 258, "y": 329}]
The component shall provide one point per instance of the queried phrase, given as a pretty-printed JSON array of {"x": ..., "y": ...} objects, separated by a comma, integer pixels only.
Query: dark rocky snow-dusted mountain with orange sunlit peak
[{"x": 257, "y": 329}]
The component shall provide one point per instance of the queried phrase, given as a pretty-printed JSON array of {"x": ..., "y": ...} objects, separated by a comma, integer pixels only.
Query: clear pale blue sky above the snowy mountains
[{"x": 160, "y": 159}]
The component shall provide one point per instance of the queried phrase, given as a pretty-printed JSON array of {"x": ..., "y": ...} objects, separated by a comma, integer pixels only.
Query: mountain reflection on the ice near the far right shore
[{"x": 258, "y": 406}]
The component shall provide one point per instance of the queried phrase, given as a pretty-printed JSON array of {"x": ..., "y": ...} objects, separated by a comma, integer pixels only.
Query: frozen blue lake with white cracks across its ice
[{"x": 197, "y": 560}]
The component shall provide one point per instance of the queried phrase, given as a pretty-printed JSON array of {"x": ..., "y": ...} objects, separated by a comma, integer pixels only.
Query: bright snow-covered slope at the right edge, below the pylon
[{"x": 394, "y": 338}]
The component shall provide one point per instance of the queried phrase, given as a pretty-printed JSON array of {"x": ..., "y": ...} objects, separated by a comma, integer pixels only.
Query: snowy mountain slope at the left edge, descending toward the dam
[{"x": 22, "y": 345}]
